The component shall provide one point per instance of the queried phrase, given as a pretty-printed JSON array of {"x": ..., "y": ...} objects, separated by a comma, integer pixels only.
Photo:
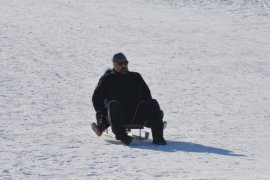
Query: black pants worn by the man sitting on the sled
[{"x": 147, "y": 113}]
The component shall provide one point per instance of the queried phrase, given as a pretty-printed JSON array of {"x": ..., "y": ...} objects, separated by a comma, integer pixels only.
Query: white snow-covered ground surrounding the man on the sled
[{"x": 206, "y": 62}]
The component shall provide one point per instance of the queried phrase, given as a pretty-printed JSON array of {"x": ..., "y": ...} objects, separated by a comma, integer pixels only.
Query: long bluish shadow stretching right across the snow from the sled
[{"x": 175, "y": 146}]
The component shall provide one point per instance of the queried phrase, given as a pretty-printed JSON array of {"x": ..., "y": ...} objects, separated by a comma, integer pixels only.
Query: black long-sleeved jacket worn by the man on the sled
[{"x": 128, "y": 89}]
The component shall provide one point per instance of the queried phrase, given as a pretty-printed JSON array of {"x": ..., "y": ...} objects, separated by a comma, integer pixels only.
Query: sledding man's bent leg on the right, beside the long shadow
[{"x": 149, "y": 112}]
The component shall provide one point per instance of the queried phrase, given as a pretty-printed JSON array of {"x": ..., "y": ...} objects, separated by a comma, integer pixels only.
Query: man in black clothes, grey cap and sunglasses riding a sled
[{"x": 122, "y": 97}]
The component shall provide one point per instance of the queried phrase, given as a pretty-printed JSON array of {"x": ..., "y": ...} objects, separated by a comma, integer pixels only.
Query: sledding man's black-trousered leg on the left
[{"x": 116, "y": 116}]
